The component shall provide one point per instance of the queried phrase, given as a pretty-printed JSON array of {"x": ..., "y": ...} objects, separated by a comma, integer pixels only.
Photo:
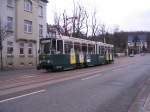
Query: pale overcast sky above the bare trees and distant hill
[{"x": 127, "y": 14}]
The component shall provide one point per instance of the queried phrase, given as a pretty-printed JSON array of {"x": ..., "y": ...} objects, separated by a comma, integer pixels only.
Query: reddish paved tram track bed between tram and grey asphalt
[{"x": 63, "y": 76}]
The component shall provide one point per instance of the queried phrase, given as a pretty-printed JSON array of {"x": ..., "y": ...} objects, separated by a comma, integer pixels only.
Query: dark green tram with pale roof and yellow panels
[{"x": 63, "y": 53}]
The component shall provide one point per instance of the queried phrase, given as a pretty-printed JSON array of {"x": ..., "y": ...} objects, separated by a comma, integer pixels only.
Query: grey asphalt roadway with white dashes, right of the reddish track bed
[{"x": 108, "y": 91}]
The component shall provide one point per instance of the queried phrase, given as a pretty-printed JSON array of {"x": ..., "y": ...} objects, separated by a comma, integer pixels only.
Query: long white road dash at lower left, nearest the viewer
[{"x": 17, "y": 97}]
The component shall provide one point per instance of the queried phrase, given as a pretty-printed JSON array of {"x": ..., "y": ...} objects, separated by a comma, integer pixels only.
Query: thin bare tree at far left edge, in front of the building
[{"x": 3, "y": 34}]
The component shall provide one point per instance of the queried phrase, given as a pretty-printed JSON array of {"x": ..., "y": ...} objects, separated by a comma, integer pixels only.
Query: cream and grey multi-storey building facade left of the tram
[{"x": 25, "y": 22}]
